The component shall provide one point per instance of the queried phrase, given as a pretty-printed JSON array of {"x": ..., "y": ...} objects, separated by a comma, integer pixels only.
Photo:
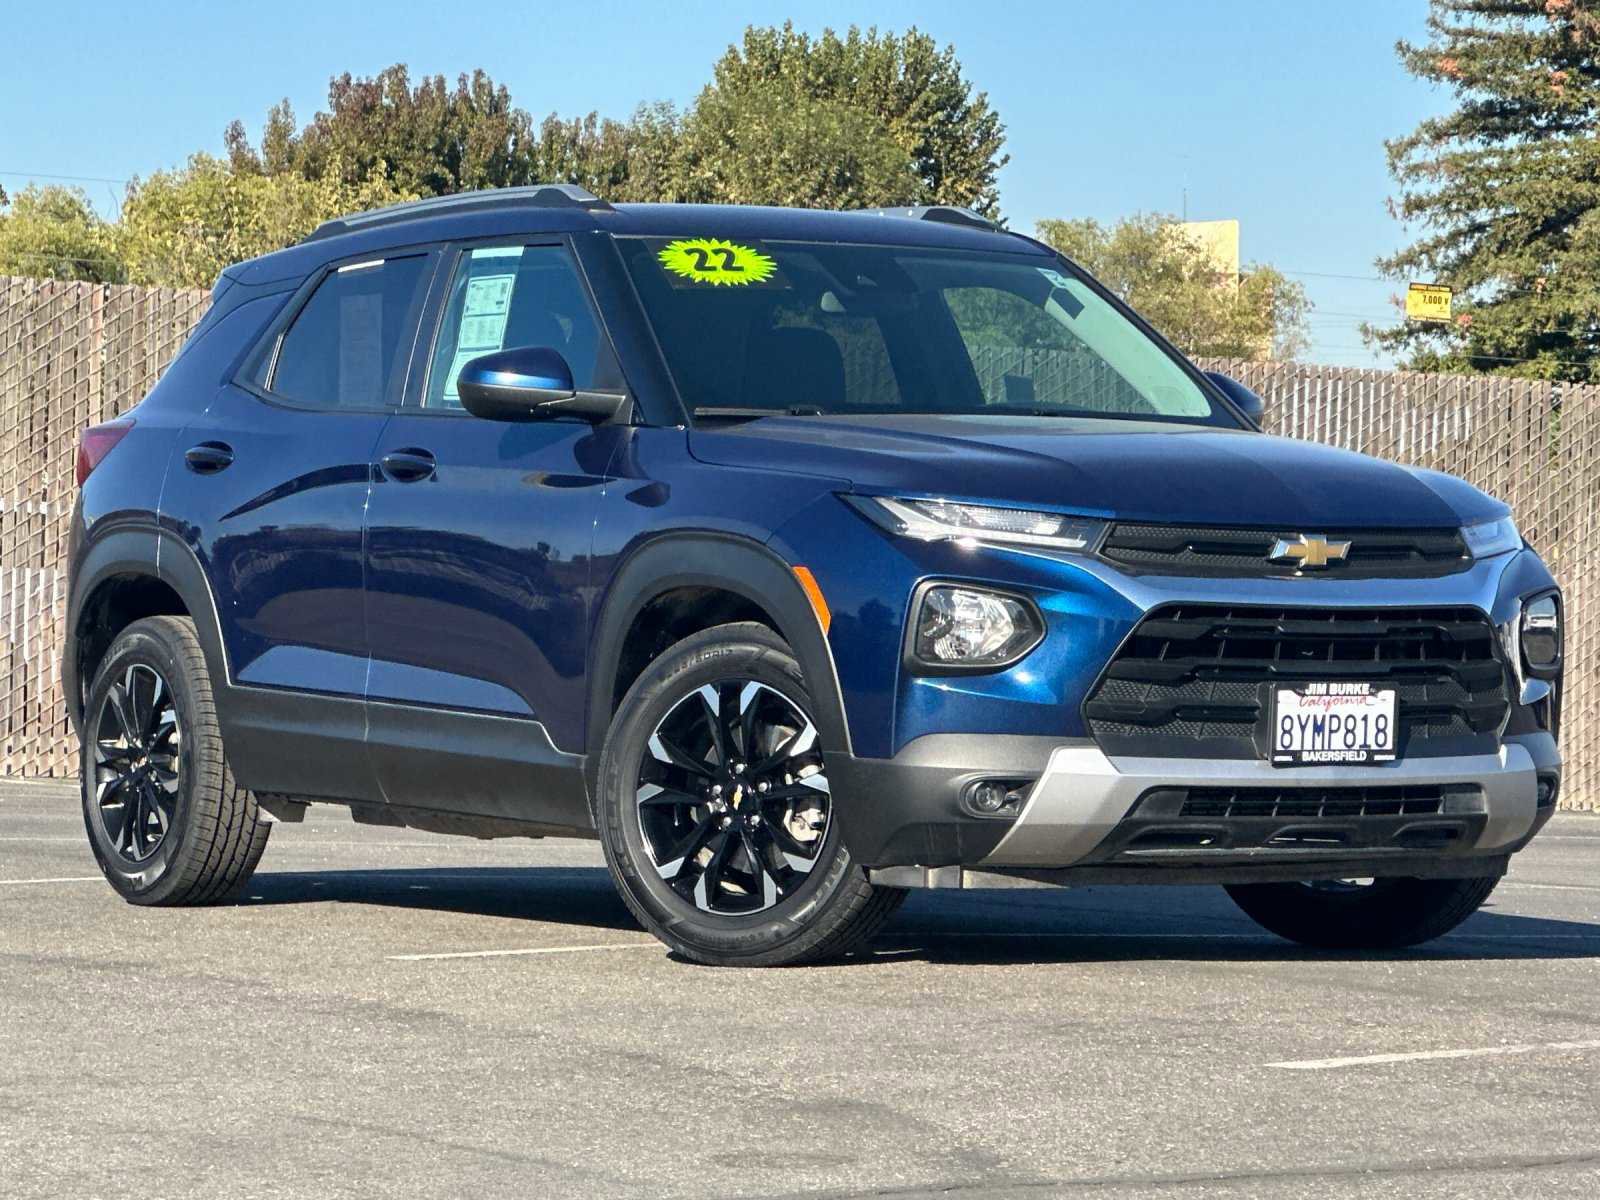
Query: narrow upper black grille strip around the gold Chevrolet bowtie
[{"x": 1182, "y": 550}]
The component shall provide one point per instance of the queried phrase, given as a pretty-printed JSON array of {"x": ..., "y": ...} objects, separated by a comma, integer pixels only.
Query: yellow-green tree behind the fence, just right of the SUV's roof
[{"x": 1170, "y": 281}]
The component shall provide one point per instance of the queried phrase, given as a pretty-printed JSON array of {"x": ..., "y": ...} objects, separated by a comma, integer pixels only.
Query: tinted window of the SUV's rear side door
[{"x": 348, "y": 348}]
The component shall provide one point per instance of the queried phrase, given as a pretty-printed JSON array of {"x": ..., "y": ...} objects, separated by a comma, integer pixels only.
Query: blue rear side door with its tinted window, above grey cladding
[{"x": 270, "y": 492}]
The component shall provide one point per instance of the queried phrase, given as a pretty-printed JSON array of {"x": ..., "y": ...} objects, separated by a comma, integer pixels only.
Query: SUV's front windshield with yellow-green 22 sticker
[{"x": 810, "y": 329}]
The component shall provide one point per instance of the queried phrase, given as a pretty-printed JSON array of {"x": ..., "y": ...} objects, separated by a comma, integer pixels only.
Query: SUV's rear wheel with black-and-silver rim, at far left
[{"x": 167, "y": 823}]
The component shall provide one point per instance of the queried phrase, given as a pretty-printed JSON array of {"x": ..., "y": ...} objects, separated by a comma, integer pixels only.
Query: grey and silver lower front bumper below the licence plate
[{"x": 1094, "y": 818}]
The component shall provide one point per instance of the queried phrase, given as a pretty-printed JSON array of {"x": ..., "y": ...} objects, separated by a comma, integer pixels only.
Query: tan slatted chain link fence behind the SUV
[{"x": 74, "y": 354}]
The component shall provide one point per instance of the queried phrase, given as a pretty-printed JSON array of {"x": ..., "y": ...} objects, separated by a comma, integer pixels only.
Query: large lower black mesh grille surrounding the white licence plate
[{"x": 1194, "y": 681}]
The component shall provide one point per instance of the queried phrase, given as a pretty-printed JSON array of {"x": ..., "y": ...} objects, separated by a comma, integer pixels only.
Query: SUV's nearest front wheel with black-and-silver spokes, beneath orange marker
[{"x": 775, "y": 898}]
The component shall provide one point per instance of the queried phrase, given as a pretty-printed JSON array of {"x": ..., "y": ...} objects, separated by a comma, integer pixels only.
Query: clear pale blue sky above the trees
[{"x": 1268, "y": 111}]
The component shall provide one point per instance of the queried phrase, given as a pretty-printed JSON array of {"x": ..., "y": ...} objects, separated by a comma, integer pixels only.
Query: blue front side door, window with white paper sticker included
[{"x": 478, "y": 556}]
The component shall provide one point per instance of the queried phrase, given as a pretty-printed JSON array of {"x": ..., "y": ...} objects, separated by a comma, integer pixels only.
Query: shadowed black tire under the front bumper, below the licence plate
[{"x": 1386, "y": 914}]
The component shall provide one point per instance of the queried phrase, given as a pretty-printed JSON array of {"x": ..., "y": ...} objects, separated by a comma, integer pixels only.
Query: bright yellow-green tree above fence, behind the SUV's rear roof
[{"x": 182, "y": 228}]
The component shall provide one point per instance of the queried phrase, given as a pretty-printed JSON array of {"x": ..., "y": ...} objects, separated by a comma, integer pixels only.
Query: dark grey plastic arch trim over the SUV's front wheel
[{"x": 732, "y": 564}]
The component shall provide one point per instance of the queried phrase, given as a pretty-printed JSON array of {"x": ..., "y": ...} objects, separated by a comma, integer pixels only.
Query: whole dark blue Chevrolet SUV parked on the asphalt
[{"x": 801, "y": 559}]
